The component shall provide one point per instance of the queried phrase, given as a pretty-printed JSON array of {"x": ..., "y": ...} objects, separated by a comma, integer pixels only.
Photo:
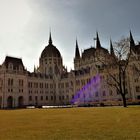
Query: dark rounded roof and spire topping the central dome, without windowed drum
[{"x": 50, "y": 50}]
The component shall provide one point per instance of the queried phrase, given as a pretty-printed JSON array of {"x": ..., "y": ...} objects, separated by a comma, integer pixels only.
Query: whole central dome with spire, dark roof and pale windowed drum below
[{"x": 50, "y": 61}]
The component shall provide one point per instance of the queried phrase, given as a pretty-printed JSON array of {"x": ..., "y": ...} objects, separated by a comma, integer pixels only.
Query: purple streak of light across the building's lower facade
[{"x": 85, "y": 95}]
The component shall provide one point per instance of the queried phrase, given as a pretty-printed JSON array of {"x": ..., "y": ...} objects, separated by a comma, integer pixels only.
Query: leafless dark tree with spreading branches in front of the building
[{"x": 120, "y": 56}]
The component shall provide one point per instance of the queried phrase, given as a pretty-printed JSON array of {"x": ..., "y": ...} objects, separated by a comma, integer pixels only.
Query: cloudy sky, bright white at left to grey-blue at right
[{"x": 25, "y": 26}]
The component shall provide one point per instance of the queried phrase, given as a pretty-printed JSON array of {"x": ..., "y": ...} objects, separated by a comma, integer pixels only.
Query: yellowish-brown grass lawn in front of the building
[{"x": 106, "y": 123}]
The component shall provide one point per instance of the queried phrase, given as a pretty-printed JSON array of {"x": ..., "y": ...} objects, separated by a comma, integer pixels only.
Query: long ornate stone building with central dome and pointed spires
[{"x": 51, "y": 84}]
